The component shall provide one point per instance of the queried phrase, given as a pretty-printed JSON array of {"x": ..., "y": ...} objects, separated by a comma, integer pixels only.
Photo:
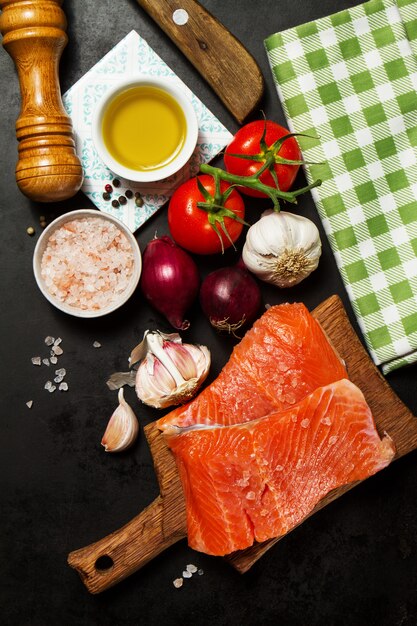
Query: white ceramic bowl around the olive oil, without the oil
[{"x": 152, "y": 175}]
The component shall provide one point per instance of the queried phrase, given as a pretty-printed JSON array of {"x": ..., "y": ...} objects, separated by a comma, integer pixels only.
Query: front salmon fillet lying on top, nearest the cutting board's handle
[{"x": 258, "y": 480}]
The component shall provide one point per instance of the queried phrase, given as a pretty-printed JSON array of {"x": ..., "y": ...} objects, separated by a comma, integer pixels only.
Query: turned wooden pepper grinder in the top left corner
[{"x": 34, "y": 35}]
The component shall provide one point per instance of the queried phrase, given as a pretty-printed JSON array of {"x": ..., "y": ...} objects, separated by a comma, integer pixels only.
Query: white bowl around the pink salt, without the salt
[{"x": 40, "y": 249}]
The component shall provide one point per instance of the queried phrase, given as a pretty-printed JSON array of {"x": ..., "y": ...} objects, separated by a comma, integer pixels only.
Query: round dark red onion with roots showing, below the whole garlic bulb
[{"x": 230, "y": 298}]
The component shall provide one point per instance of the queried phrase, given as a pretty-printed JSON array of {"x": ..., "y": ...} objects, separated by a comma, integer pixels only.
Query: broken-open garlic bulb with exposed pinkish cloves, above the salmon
[{"x": 171, "y": 372}]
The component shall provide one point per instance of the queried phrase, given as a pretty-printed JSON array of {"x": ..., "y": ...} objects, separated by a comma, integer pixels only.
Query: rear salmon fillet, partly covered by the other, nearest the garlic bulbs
[{"x": 280, "y": 360}]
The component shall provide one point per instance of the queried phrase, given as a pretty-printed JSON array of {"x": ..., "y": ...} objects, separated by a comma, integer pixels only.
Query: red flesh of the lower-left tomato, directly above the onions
[{"x": 189, "y": 224}]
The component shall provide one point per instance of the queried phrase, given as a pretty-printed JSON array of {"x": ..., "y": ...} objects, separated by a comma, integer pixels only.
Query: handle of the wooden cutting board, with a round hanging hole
[{"x": 108, "y": 561}]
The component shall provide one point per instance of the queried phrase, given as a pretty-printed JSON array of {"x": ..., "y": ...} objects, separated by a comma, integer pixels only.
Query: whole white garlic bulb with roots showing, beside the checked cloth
[{"x": 282, "y": 248}]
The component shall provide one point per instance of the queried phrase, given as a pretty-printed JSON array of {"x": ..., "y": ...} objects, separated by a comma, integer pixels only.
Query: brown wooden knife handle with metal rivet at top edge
[{"x": 219, "y": 57}]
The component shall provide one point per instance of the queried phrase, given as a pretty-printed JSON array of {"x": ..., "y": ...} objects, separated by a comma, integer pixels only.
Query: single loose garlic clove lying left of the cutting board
[{"x": 122, "y": 428}]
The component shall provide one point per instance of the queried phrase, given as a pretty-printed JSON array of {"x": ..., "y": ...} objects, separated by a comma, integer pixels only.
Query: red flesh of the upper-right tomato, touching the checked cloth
[{"x": 247, "y": 142}]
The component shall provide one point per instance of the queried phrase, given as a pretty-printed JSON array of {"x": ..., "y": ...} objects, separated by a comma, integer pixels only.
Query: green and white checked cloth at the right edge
[{"x": 351, "y": 80}]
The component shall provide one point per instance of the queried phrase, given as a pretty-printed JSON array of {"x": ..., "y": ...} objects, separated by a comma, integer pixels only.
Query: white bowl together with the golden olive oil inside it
[{"x": 145, "y": 128}]
